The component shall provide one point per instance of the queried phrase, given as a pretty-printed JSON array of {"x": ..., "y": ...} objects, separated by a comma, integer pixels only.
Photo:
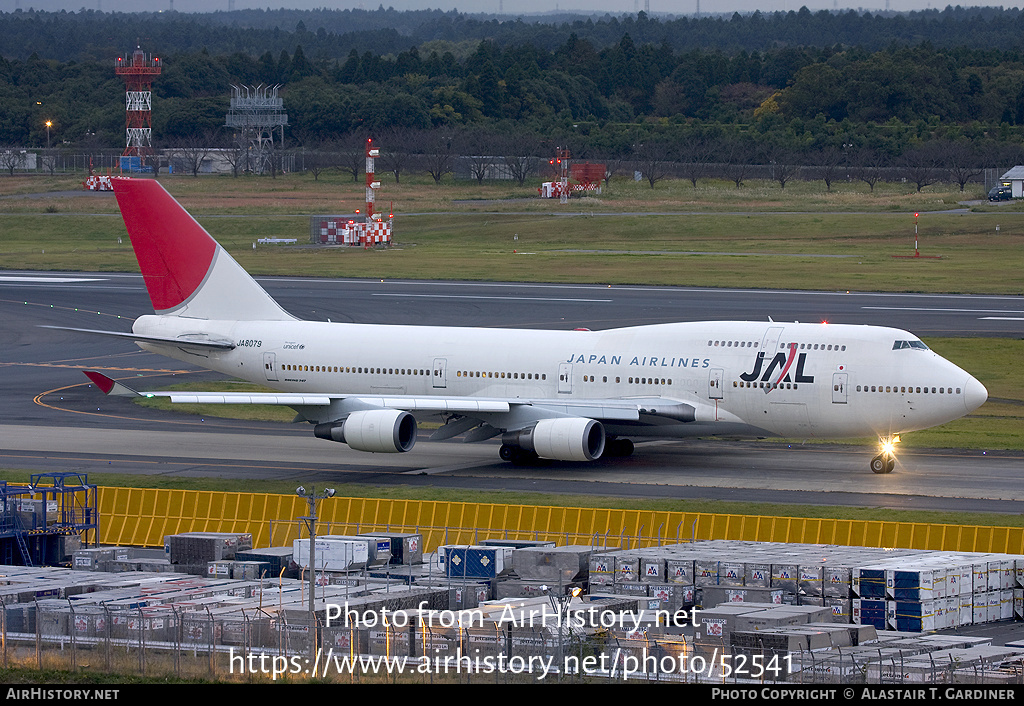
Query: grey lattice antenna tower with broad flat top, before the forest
[{"x": 258, "y": 112}]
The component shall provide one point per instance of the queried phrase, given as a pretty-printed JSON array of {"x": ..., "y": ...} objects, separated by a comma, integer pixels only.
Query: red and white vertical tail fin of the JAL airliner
[{"x": 187, "y": 273}]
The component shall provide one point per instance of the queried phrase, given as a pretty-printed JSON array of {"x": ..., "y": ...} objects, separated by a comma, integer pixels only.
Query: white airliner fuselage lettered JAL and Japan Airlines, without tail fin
[{"x": 801, "y": 381}]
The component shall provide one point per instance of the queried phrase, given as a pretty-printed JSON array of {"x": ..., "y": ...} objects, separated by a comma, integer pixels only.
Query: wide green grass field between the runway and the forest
[{"x": 758, "y": 236}]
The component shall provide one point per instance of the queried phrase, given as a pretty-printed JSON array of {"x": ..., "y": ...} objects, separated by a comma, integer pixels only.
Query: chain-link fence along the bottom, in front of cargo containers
[{"x": 257, "y": 647}]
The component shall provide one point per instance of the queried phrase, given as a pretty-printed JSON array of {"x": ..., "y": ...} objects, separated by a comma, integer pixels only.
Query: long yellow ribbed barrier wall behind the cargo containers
[{"x": 145, "y": 517}]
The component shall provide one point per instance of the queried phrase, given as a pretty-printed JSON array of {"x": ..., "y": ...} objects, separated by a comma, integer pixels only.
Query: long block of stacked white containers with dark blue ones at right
[{"x": 895, "y": 590}]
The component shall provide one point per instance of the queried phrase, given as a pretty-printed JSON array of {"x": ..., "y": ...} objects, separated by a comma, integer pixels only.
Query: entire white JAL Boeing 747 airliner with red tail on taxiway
[{"x": 570, "y": 396}]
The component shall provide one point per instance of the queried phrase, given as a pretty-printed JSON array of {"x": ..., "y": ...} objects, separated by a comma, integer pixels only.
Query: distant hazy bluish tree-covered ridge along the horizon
[{"x": 329, "y": 34}]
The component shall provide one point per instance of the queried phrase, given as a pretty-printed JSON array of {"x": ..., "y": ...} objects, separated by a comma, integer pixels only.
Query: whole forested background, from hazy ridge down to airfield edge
[{"x": 607, "y": 100}]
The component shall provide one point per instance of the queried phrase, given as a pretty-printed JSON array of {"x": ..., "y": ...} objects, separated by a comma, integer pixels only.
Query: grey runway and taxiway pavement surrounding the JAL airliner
[{"x": 54, "y": 421}]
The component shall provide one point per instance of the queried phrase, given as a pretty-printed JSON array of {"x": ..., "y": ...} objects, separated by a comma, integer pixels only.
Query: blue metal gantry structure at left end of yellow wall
[{"x": 45, "y": 522}]
